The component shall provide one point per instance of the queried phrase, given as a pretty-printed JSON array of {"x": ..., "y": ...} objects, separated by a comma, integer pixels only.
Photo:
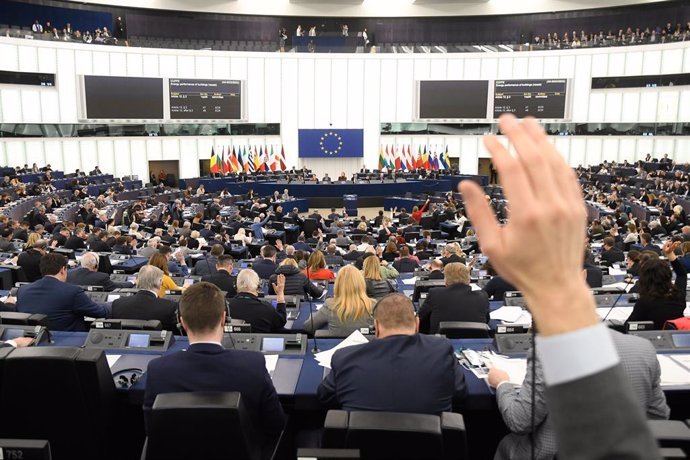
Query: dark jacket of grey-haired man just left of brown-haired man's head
[{"x": 145, "y": 305}]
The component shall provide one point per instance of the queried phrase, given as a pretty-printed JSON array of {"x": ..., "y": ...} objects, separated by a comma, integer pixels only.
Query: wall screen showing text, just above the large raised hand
[{"x": 536, "y": 98}]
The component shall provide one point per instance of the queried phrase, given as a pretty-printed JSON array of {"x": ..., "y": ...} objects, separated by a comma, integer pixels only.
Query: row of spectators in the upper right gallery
[{"x": 650, "y": 35}]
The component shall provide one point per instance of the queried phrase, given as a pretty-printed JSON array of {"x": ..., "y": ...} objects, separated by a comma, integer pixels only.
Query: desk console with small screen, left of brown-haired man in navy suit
[{"x": 120, "y": 339}]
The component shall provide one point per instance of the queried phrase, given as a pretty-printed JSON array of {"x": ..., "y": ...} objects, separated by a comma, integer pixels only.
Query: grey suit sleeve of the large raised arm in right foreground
[{"x": 598, "y": 417}]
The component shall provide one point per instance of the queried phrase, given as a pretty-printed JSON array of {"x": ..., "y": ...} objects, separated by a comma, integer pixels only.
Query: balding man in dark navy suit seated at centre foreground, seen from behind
[{"x": 368, "y": 376}]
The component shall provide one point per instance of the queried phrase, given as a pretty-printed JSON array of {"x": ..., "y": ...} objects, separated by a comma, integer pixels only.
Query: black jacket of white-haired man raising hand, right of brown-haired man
[{"x": 262, "y": 316}]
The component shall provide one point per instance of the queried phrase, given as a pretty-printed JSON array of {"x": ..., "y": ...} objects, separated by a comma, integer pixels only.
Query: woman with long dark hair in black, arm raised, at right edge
[{"x": 660, "y": 300}]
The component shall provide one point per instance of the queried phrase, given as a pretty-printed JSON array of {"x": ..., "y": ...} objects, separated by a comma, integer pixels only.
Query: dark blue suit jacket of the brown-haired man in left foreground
[{"x": 209, "y": 367}]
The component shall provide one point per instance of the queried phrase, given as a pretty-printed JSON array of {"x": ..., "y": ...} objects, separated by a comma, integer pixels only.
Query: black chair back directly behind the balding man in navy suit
[{"x": 400, "y": 436}]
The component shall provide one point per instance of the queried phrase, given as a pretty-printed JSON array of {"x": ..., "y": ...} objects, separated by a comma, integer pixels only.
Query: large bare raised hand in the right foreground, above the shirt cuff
[{"x": 539, "y": 250}]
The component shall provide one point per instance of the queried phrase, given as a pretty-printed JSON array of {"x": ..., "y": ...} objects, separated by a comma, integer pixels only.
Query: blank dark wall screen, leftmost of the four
[{"x": 123, "y": 97}]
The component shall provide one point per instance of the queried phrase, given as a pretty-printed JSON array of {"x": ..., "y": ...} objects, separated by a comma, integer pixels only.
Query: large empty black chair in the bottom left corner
[{"x": 73, "y": 384}]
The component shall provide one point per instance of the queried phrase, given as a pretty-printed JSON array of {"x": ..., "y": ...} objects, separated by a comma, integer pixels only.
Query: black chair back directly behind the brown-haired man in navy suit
[{"x": 222, "y": 428}]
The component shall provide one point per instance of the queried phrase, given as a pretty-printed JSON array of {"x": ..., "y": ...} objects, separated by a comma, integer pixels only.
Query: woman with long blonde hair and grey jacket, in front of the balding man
[{"x": 349, "y": 309}]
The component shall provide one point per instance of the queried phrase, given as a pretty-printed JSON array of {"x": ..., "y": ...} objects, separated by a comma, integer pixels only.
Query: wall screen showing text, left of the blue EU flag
[{"x": 210, "y": 99}]
